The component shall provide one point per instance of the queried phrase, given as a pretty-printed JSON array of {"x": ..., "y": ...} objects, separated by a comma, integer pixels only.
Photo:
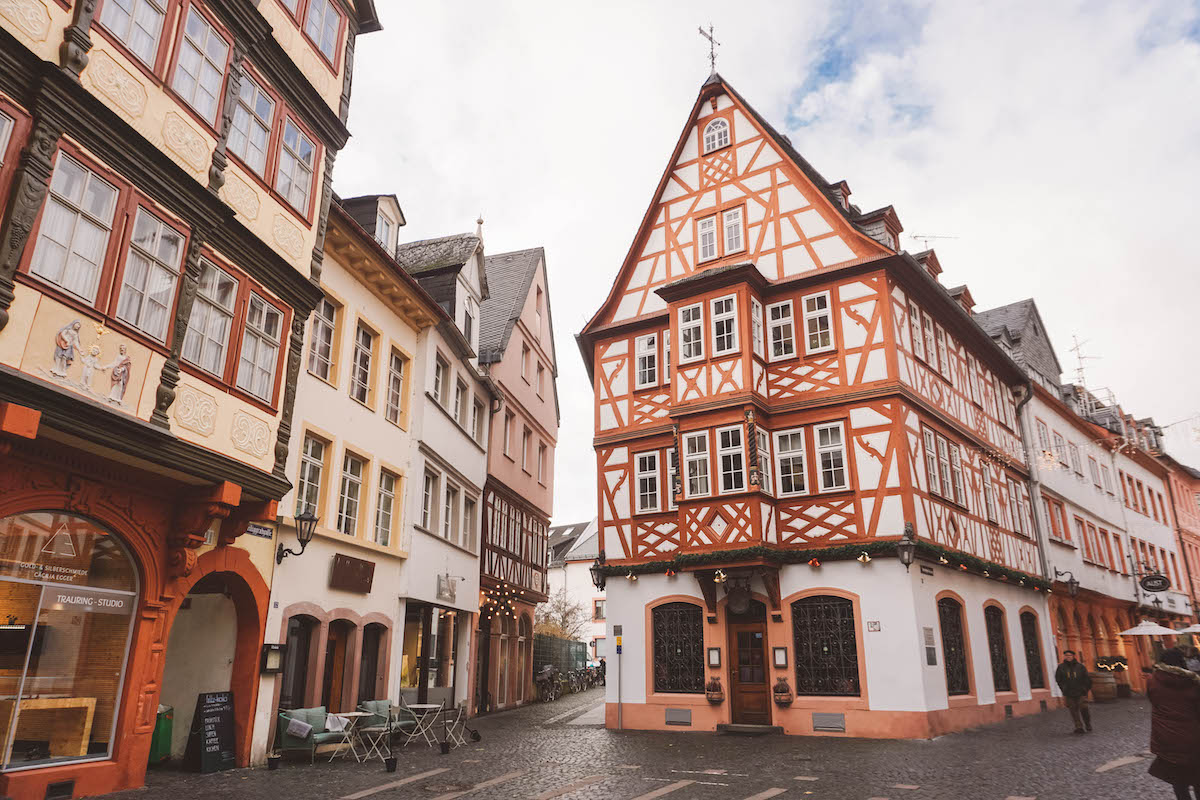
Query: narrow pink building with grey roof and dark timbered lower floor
[{"x": 517, "y": 341}]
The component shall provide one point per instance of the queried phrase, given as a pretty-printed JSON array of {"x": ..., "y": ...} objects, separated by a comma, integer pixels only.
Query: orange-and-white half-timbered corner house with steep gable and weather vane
[{"x": 781, "y": 395}]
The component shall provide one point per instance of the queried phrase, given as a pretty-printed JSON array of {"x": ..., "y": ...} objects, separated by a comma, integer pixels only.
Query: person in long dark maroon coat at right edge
[{"x": 1174, "y": 694}]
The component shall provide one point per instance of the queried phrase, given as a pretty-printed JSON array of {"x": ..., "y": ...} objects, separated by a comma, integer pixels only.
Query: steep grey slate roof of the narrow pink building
[{"x": 509, "y": 278}]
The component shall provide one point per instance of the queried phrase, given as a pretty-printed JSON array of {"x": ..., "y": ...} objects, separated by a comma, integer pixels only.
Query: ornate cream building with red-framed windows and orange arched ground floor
[{"x": 165, "y": 183}]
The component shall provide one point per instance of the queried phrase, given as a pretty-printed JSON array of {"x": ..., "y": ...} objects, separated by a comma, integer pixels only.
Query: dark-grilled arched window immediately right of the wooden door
[{"x": 826, "y": 646}]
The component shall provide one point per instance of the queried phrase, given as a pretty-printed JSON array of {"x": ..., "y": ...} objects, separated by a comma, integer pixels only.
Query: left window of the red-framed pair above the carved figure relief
[{"x": 74, "y": 234}]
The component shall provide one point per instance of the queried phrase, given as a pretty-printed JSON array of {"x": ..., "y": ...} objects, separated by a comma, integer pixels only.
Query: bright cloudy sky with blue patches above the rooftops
[{"x": 1055, "y": 147}]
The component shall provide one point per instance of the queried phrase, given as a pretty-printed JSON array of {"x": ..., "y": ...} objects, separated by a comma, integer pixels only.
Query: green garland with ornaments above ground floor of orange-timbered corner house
[{"x": 815, "y": 556}]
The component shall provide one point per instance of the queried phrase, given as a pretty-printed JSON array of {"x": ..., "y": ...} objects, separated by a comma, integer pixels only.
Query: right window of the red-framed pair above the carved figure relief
[{"x": 152, "y": 272}]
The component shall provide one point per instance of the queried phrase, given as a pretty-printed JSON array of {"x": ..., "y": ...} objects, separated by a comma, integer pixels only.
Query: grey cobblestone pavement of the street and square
[{"x": 550, "y": 751}]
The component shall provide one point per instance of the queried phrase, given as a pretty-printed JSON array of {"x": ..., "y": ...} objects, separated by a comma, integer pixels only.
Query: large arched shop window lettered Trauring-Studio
[{"x": 68, "y": 597}]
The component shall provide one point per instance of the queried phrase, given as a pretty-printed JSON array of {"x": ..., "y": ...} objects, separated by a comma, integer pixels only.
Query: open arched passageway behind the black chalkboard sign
[{"x": 201, "y": 652}]
